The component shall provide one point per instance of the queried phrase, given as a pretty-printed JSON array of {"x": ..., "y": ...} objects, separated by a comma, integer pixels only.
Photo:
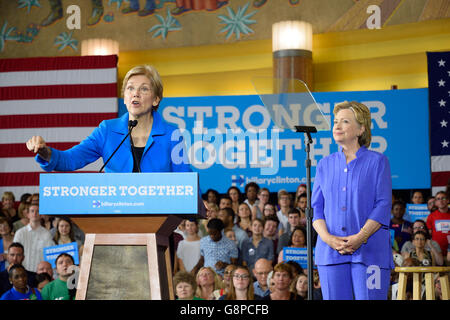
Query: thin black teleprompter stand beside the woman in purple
[{"x": 308, "y": 211}]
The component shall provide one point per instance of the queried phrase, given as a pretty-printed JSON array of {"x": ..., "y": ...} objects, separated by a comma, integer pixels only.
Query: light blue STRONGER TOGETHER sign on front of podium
[{"x": 118, "y": 193}]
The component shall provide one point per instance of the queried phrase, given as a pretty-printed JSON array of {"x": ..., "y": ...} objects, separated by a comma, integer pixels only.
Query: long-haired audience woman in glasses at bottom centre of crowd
[{"x": 241, "y": 286}]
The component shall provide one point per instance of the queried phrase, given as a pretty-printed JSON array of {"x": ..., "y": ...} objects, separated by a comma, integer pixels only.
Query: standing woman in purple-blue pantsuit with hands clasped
[{"x": 352, "y": 200}]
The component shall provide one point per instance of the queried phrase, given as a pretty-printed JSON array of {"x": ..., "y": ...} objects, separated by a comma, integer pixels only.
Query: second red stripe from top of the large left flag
[{"x": 67, "y": 91}]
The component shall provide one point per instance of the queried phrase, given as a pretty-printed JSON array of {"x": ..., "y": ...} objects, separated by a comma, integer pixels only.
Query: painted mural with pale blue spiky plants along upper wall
[{"x": 57, "y": 27}]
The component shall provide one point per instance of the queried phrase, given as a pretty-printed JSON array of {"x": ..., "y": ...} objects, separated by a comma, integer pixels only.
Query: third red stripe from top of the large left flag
[{"x": 54, "y": 120}]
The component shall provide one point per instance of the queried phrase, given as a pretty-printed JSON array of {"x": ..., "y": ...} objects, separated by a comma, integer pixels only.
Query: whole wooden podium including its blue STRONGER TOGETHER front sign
[{"x": 127, "y": 219}]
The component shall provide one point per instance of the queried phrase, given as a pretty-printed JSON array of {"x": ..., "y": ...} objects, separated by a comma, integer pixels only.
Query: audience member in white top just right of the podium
[{"x": 188, "y": 251}]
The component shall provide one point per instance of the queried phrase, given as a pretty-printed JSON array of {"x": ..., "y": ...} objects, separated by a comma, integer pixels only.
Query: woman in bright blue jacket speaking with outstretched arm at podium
[{"x": 154, "y": 145}]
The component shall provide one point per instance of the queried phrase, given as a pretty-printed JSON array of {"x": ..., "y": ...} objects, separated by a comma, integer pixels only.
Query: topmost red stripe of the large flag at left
[{"x": 60, "y": 63}]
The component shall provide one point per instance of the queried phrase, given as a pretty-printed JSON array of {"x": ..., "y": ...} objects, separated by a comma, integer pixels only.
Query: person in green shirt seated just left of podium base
[{"x": 57, "y": 289}]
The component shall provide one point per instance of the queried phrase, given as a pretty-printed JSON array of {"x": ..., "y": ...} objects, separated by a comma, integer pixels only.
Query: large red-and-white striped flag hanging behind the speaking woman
[{"x": 61, "y": 99}]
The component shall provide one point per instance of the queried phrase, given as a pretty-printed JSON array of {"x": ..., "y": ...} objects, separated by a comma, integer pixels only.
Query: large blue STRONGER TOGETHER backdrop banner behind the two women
[{"x": 231, "y": 140}]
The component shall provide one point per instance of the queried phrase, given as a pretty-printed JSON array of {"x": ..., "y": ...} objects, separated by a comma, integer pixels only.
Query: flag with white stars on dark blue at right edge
[{"x": 439, "y": 104}]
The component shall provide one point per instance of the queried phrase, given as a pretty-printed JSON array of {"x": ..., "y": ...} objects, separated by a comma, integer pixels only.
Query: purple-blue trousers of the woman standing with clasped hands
[{"x": 354, "y": 281}]
